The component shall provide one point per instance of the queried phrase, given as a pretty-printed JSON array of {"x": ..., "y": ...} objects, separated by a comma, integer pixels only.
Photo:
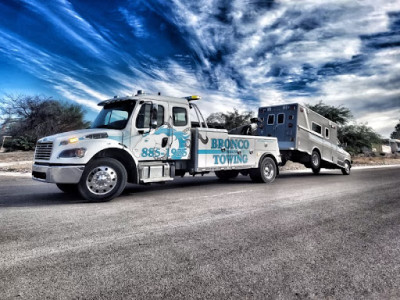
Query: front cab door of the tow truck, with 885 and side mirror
[{"x": 147, "y": 143}]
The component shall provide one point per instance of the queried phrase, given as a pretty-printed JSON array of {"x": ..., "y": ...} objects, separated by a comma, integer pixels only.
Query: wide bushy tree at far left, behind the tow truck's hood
[{"x": 37, "y": 116}]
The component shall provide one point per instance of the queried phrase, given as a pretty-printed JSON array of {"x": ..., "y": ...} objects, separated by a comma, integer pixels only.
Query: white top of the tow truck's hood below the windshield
[{"x": 85, "y": 134}]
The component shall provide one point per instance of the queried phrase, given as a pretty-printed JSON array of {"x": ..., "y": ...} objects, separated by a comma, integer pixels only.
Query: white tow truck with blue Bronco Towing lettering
[{"x": 145, "y": 139}]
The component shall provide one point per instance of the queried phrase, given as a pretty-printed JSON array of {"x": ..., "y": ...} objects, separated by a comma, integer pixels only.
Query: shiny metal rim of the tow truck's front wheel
[{"x": 101, "y": 180}]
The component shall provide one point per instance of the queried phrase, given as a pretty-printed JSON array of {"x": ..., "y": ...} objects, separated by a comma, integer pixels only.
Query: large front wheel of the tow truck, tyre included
[{"x": 102, "y": 180}]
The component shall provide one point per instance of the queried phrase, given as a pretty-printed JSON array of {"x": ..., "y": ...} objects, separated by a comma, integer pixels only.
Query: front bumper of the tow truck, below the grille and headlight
[{"x": 57, "y": 174}]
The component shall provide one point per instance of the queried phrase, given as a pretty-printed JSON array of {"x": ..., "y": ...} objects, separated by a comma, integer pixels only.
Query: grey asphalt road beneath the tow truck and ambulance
[{"x": 303, "y": 236}]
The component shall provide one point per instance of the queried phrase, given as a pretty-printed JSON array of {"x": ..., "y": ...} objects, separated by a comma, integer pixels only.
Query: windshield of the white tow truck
[{"x": 114, "y": 115}]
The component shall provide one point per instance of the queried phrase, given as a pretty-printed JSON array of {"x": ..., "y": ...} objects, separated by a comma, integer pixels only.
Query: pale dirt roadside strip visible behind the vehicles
[{"x": 21, "y": 161}]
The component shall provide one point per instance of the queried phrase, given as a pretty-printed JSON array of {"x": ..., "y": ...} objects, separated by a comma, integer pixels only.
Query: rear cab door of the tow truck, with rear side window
[{"x": 178, "y": 132}]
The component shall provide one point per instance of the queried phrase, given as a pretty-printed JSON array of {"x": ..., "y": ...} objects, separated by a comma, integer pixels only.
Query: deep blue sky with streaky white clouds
[{"x": 239, "y": 53}]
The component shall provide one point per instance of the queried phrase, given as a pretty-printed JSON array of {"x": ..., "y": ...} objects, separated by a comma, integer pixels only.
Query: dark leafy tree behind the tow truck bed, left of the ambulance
[{"x": 230, "y": 120}]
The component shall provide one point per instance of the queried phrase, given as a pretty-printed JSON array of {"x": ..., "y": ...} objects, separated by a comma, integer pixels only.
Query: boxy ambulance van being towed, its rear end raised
[{"x": 304, "y": 136}]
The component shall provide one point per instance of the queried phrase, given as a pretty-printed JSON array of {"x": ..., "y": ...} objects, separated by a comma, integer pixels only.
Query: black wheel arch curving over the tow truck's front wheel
[{"x": 125, "y": 157}]
